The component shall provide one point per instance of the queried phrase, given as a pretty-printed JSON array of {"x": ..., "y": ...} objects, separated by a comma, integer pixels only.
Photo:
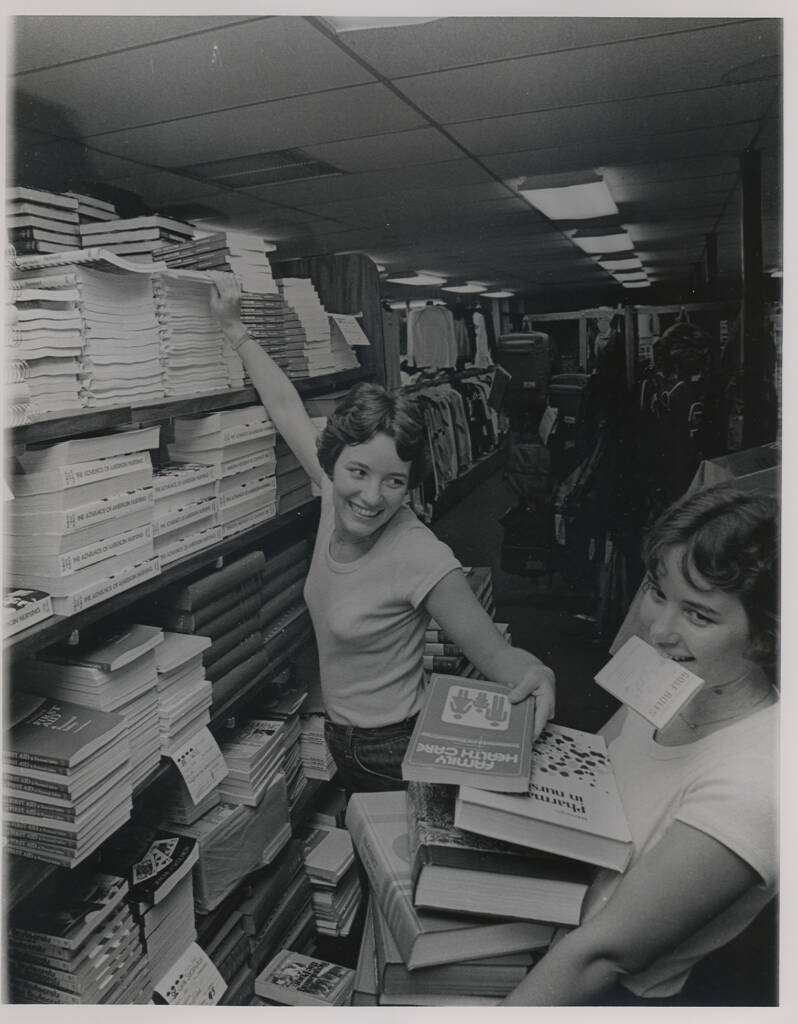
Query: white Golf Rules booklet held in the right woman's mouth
[{"x": 652, "y": 686}]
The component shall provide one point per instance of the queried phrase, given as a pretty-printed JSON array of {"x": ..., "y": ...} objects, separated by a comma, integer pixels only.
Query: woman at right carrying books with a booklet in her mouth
[{"x": 700, "y": 795}]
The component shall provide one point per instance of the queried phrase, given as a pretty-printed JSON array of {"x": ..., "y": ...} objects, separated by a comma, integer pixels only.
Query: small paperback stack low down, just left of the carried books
[{"x": 337, "y": 890}]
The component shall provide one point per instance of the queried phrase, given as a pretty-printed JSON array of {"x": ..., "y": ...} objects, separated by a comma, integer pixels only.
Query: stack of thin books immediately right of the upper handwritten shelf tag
[{"x": 255, "y": 755}]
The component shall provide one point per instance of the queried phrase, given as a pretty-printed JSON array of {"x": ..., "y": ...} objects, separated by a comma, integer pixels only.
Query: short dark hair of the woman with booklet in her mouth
[{"x": 731, "y": 539}]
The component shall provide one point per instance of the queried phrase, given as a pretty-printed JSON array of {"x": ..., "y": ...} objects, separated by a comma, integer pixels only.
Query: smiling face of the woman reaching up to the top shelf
[{"x": 370, "y": 484}]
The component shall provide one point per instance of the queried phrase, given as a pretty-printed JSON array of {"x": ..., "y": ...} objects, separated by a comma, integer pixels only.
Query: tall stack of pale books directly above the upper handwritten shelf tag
[{"x": 185, "y": 696}]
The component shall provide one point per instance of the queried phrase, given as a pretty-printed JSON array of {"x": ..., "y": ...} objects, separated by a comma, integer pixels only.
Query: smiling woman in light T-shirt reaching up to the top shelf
[{"x": 377, "y": 574}]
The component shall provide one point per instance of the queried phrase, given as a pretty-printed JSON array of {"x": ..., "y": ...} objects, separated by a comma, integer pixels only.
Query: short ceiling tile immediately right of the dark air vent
[{"x": 421, "y": 146}]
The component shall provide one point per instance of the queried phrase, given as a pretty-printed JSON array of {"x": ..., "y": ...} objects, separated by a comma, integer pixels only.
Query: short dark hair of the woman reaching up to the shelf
[{"x": 368, "y": 410}]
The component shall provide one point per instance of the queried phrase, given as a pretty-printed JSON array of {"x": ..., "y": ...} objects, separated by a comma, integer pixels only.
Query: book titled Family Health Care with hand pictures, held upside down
[{"x": 469, "y": 734}]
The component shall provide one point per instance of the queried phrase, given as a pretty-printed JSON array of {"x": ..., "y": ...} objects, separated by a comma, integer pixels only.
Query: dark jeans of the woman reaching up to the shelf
[{"x": 369, "y": 760}]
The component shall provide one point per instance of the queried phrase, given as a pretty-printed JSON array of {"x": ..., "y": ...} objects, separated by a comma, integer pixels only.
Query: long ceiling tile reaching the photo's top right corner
[{"x": 617, "y": 71}]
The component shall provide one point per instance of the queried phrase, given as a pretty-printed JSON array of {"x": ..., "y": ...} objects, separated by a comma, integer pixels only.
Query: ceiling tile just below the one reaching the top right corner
[{"x": 648, "y": 116}]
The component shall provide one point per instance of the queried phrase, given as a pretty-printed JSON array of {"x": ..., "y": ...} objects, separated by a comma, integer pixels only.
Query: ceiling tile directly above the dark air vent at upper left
[{"x": 265, "y": 127}]
